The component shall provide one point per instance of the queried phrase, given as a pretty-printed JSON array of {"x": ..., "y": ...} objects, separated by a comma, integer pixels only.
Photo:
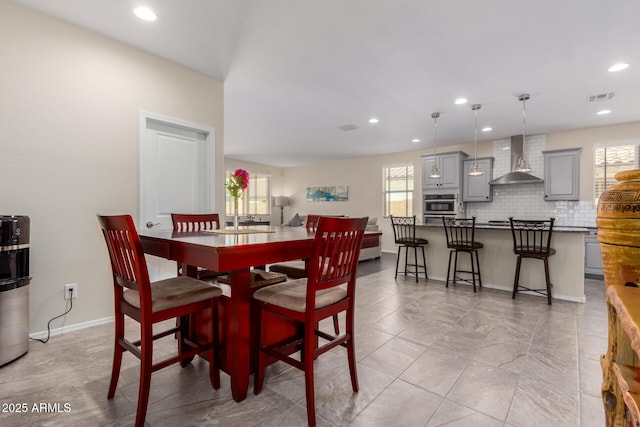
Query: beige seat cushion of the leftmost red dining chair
[{"x": 174, "y": 292}]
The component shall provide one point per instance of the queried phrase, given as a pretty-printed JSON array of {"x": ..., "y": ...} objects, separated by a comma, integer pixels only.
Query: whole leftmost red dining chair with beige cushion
[{"x": 149, "y": 303}]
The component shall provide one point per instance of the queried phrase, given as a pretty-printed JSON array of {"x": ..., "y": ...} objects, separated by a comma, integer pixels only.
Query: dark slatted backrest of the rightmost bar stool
[{"x": 531, "y": 237}]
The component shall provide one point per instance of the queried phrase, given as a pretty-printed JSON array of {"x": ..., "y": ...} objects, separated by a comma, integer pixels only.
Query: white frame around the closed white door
[{"x": 210, "y": 160}]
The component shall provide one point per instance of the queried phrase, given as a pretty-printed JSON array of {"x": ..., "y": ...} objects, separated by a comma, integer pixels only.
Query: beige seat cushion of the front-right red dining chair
[{"x": 293, "y": 295}]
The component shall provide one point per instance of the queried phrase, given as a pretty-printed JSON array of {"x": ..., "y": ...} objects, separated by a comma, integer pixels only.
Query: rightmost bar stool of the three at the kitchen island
[{"x": 532, "y": 239}]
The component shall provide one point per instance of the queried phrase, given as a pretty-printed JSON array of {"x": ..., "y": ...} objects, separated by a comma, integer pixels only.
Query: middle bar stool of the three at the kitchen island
[{"x": 460, "y": 233}]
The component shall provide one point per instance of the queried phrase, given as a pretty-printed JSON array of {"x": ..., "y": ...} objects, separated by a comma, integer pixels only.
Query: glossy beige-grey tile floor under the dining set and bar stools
[{"x": 427, "y": 356}]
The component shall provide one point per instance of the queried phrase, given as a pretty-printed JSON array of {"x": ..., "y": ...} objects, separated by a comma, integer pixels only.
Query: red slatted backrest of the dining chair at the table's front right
[{"x": 334, "y": 259}]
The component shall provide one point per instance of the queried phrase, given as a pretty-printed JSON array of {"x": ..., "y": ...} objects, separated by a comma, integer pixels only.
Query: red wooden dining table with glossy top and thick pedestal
[{"x": 233, "y": 252}]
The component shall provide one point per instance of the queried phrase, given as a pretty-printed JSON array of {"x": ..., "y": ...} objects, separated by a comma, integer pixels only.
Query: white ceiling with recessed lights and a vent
[{"x": 296, "y": 70}]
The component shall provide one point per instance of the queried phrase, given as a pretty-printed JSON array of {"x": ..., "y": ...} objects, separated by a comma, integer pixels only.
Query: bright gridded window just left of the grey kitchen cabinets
[{"x": 398, "y": 190}]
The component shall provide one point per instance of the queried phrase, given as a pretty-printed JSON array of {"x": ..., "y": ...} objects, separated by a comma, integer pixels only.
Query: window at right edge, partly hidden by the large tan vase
[{"x": 611, "y": 159}]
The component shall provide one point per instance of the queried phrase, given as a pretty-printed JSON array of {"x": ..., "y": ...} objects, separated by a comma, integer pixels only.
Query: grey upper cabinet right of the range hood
[{"x": 562, "y": 174}]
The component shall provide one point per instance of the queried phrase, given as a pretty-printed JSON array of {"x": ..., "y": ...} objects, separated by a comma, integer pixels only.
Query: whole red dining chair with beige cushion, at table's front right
[{"x": 328, "y": 290}]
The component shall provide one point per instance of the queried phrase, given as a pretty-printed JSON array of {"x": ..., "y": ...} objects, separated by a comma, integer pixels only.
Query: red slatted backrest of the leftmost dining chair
[{"x": 128, "y": 264}]
